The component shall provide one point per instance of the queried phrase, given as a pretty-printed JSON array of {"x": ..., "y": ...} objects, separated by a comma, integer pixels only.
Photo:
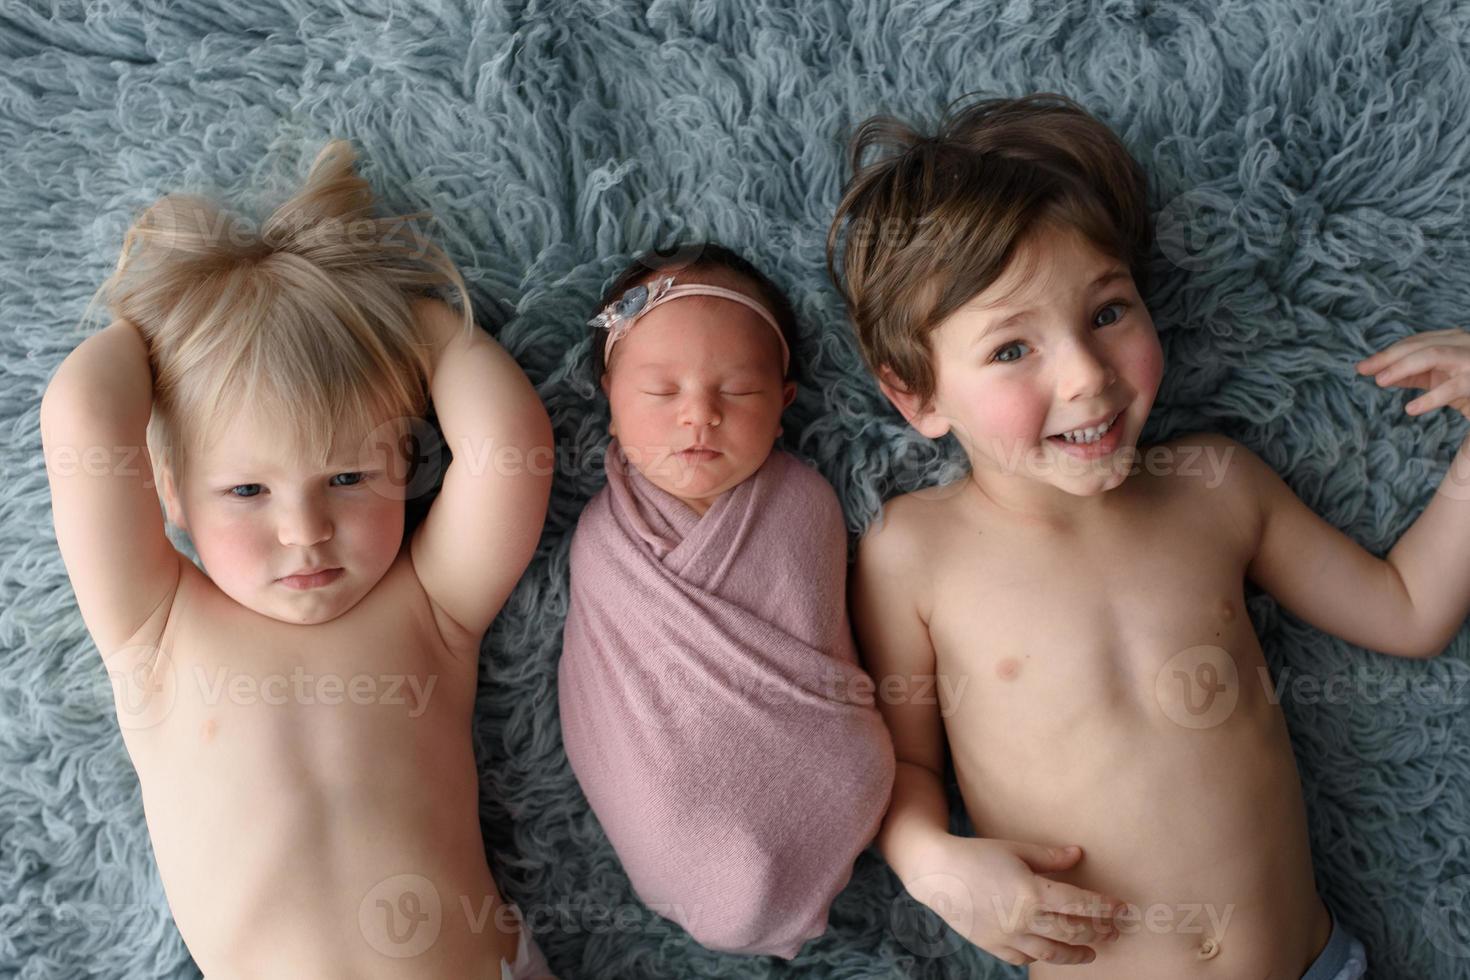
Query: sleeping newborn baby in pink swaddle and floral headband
[{"x": 712, "y": 705}]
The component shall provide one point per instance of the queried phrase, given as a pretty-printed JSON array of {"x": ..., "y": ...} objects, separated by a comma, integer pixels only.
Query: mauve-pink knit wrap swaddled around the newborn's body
[{"x": 712, "y": 705}]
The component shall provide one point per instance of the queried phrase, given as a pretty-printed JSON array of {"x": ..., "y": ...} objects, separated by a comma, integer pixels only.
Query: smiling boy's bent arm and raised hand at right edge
[{"x": 1413, "y": 602}]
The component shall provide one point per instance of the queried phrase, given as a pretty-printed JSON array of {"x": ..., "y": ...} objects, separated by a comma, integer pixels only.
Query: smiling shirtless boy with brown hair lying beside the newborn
[{"x": 1090, "y": 593}]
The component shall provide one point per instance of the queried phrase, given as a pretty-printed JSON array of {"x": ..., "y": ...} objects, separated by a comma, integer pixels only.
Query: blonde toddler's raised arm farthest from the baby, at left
[{"x": 105, "y": 508}]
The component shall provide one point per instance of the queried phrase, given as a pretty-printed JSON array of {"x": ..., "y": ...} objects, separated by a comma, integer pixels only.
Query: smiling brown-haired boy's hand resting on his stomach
[{"x": 997, "y": 897}]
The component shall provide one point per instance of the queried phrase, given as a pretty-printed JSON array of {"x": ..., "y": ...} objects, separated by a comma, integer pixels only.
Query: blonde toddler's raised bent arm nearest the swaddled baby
[{"x": 483, "y": 530}]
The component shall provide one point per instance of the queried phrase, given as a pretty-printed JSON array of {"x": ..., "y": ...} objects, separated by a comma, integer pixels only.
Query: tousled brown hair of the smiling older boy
[{"x": 937, "y": 220}]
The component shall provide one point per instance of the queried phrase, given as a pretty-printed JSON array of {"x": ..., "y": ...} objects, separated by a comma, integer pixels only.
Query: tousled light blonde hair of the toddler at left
[{"x": 306, "y": 318}]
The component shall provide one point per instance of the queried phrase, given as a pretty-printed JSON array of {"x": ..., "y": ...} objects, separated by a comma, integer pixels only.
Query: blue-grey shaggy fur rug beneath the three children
[{"x": 1309, "y": 167}]
